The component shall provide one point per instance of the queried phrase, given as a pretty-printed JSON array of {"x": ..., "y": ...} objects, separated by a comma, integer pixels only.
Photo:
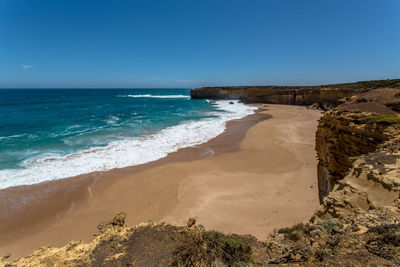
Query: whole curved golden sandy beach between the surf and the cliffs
[{"x": 256, "y": 177}]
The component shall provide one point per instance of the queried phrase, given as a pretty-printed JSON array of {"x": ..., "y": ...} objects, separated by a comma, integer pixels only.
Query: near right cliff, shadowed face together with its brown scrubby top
[{"x": 353, "y": 129}]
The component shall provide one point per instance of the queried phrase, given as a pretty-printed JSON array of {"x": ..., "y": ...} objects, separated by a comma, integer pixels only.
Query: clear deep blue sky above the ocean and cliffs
[{"x": 188, "y": 44}]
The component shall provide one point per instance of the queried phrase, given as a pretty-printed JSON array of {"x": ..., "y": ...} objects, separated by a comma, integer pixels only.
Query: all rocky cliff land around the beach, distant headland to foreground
[{"x": 357, "y": 223}]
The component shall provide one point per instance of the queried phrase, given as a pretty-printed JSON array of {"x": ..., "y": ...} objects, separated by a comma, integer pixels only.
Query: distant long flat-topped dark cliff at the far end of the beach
[{"x": 325, "y": 96}]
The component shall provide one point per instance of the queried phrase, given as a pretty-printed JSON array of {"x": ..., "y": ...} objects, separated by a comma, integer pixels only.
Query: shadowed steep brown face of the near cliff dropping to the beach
[{"x": 340, "y": 137}]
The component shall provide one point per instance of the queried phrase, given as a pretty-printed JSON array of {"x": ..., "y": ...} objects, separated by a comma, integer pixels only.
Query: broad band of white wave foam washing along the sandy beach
[{"x": 128, "y": 152}]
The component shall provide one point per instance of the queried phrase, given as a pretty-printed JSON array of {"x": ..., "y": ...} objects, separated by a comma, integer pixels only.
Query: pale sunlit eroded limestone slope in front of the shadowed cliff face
[{"x": 372, "y": 182}]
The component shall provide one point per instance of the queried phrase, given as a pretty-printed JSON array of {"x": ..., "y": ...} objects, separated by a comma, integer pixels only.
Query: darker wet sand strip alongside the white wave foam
[{"x": 26, "y": 209}]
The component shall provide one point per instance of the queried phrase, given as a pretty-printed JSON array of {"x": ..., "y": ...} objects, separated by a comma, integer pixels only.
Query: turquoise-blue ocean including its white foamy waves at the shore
[{"x": 48, "y": 134}]
